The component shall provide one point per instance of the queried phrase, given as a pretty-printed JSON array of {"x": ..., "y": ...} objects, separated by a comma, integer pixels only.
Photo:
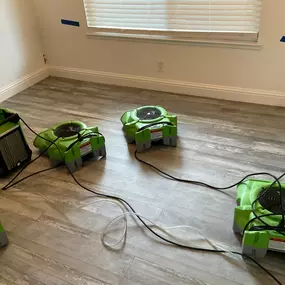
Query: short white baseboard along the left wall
[{"x": 23, "y": 83}]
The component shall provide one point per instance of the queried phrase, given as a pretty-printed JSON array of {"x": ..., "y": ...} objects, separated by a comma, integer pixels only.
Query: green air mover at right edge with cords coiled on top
[{"x": 257, "y": 237}]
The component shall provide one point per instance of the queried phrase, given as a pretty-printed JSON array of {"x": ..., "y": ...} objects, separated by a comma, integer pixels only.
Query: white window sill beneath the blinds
[{"x": 168, "y": 40}]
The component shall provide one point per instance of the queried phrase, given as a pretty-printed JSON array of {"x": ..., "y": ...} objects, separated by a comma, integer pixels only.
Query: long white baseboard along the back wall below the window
[{"x": 265, "y": 97}]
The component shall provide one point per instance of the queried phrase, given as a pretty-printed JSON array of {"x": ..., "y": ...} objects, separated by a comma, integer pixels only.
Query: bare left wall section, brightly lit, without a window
[{"x": 20, "y": 46}]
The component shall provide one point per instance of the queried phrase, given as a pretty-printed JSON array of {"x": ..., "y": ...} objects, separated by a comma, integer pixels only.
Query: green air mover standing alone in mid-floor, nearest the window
[{"x": 147, "y": 124}]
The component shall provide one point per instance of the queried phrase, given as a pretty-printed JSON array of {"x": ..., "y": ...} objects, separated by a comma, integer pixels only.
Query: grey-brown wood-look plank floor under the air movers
[{"x": 54, "y": 226}]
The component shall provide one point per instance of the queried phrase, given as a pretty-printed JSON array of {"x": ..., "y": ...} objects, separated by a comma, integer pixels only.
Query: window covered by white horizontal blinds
[{"x": 177, "y": 19}]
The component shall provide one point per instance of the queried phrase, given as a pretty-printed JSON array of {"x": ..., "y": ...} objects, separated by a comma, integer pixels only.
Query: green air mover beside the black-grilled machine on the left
[{"x": 75, "y": 141}]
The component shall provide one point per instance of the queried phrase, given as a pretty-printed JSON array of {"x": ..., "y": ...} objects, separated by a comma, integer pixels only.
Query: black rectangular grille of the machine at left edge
[{"x": 13, "y": 149}]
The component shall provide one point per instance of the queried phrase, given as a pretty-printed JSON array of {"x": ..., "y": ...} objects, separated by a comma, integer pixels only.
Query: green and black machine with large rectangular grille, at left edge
[{"x": 14, "y": 150}]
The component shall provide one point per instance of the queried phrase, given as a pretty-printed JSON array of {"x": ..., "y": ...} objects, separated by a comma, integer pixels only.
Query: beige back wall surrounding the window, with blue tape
[{"x": 257, "y": 69}]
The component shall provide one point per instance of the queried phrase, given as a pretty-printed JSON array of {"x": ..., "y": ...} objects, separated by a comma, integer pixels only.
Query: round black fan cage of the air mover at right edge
[{"x": 270, "y": 200}]
